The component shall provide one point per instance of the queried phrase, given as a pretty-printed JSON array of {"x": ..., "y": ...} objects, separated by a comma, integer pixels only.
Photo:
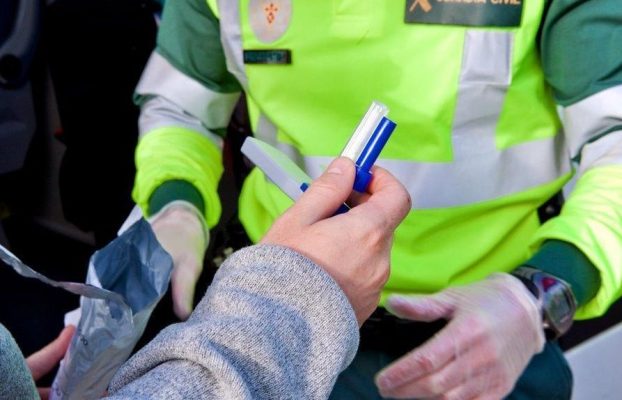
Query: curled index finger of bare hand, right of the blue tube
[{"x": 387, "y": 197}]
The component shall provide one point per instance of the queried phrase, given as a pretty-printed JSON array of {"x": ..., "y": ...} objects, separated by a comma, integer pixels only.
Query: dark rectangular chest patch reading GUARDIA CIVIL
[{"x": 501, "y": 13}]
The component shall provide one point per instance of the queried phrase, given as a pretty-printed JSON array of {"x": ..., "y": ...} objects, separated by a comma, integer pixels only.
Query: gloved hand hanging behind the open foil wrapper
[{"x": 181, "y": 230}]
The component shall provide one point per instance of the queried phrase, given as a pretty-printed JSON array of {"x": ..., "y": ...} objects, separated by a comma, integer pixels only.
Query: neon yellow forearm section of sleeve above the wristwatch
[{"x": 590, "y": 220}]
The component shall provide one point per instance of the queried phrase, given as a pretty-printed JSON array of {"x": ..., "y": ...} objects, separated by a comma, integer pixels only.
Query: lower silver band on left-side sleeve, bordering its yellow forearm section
[{"x": 158, "y": 112}]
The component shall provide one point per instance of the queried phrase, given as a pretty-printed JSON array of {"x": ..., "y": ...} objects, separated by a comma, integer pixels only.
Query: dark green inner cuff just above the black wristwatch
[{"x": 565, "y": 261}]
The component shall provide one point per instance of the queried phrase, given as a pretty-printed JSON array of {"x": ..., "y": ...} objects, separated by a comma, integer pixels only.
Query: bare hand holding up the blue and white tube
[{"x": 355, "y": 247}]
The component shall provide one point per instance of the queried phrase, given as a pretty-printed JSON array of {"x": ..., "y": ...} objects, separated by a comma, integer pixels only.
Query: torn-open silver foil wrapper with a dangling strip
[{"x": 125, "y": 281}]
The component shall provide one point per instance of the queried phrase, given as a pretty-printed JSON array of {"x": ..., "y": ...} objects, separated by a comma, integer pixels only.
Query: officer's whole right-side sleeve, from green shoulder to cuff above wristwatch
[{"x": 580, "y": 49}]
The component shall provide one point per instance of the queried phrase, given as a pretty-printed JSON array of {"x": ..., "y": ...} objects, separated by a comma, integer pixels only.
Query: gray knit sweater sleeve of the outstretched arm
[{"x": 273, "y": 325}]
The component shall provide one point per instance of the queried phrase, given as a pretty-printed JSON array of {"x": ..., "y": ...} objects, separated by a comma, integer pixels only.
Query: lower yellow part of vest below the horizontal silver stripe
[{"x": 435, "y": 248}]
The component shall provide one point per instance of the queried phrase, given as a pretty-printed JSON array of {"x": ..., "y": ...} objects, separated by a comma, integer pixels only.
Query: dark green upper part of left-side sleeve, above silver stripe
[{"x": 183, "y": 21}]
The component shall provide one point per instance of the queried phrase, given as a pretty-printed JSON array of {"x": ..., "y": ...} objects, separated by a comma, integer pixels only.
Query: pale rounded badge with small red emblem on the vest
[{"x": 269, "y": 19}]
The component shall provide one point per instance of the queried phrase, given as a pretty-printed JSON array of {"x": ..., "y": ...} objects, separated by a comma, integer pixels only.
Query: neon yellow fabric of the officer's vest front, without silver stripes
[{"x": 433, "y": 248}]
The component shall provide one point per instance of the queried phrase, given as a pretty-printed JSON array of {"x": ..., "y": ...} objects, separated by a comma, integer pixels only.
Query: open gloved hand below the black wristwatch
[{"x": 494, "y": 329}]
